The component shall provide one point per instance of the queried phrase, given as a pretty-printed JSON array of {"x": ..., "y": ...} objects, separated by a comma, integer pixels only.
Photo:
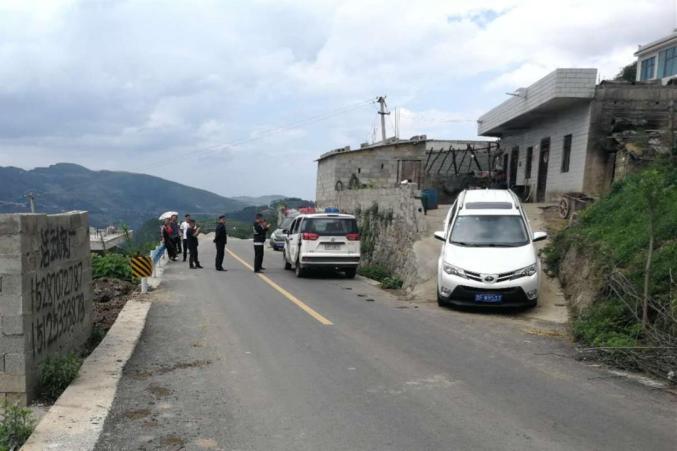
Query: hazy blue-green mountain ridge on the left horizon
[{"x": 110, "y": 197}]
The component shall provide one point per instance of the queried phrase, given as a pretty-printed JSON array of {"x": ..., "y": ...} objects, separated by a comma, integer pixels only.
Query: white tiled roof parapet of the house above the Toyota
[{"x": 561, "y": 83}]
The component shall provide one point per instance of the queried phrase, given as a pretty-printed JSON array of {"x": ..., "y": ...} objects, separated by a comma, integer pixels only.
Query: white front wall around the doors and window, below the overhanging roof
[{"x": 574, "y": 120}]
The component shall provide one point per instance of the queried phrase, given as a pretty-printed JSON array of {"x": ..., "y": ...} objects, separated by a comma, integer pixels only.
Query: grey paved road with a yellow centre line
[{"x": 233, "y": 361}]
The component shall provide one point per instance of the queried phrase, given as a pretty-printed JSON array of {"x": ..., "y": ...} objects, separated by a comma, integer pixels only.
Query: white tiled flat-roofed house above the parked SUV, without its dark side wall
[{"x": 544, "y": 131}]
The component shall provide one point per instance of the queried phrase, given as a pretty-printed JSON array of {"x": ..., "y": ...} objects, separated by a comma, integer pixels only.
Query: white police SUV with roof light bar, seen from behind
[{"x": 327, "y": 240}]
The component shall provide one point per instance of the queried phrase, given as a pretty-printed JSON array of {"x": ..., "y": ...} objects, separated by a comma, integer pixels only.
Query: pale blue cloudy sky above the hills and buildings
[{"x": 241, "y": 97}]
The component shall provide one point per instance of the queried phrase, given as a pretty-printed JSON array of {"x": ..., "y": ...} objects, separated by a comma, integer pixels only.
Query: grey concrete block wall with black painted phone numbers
[{"x": 45, "y": 295}]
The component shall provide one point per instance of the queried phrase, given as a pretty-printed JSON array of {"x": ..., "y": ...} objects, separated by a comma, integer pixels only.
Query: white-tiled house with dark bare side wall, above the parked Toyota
[{"x": 565, "y": 132}]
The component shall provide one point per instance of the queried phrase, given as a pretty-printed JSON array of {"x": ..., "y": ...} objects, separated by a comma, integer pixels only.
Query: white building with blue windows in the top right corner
[{"x": 657, "y": 60}]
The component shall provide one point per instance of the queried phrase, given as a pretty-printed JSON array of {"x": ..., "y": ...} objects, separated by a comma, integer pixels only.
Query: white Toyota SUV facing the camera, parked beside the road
[{"x": 488, "y": 257}]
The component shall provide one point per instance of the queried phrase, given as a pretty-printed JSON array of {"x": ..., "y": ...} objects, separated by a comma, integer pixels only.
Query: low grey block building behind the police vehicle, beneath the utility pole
[{"x": 423, "y": 162}]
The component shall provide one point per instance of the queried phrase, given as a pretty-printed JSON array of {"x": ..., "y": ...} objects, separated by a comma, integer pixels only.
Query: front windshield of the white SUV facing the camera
[{"x": 489, "y": 231}]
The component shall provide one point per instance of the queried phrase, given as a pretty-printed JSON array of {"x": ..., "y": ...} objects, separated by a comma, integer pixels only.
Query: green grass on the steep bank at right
[{"x": 614, "y": 233}]
